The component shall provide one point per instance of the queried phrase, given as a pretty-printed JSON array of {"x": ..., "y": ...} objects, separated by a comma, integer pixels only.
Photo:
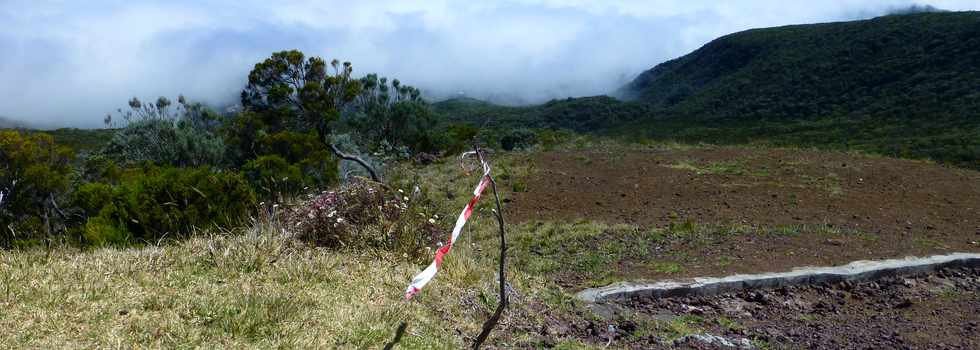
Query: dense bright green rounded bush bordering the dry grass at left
[{"x": 168, "y": 202}]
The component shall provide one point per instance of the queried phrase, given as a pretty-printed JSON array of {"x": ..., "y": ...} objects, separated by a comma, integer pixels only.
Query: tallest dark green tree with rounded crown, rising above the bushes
[{"x": 293, "y": 98}]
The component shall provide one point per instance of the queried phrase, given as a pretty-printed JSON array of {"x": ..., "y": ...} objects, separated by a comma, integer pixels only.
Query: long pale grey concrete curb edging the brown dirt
[{"x": 856, "y": 271}]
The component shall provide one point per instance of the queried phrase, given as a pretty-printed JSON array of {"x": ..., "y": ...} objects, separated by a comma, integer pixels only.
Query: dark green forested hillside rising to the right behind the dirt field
[{"x": 900, "y": 85}]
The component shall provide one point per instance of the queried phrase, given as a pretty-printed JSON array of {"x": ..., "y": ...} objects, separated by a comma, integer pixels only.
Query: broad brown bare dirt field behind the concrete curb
[{"x": 860, "y": 207}]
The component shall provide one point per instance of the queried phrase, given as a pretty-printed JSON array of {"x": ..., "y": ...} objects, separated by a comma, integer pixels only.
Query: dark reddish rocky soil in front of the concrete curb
[{"x": 937, "y": 311}]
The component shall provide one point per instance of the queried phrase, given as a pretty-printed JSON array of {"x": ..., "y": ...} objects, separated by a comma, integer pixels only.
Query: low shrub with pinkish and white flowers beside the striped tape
[{"x": 363, "y": 214}]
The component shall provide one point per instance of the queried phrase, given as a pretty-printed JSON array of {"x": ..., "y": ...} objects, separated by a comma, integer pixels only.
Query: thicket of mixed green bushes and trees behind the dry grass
[{"x": 173, "y": 170}]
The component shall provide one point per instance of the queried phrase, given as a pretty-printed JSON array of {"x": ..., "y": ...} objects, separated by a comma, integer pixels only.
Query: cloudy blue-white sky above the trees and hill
[{"x": 68, "y": 63}]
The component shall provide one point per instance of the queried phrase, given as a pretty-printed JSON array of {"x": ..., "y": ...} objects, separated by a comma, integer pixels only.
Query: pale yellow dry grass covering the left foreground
[{"x": 257, "y": 288}]
